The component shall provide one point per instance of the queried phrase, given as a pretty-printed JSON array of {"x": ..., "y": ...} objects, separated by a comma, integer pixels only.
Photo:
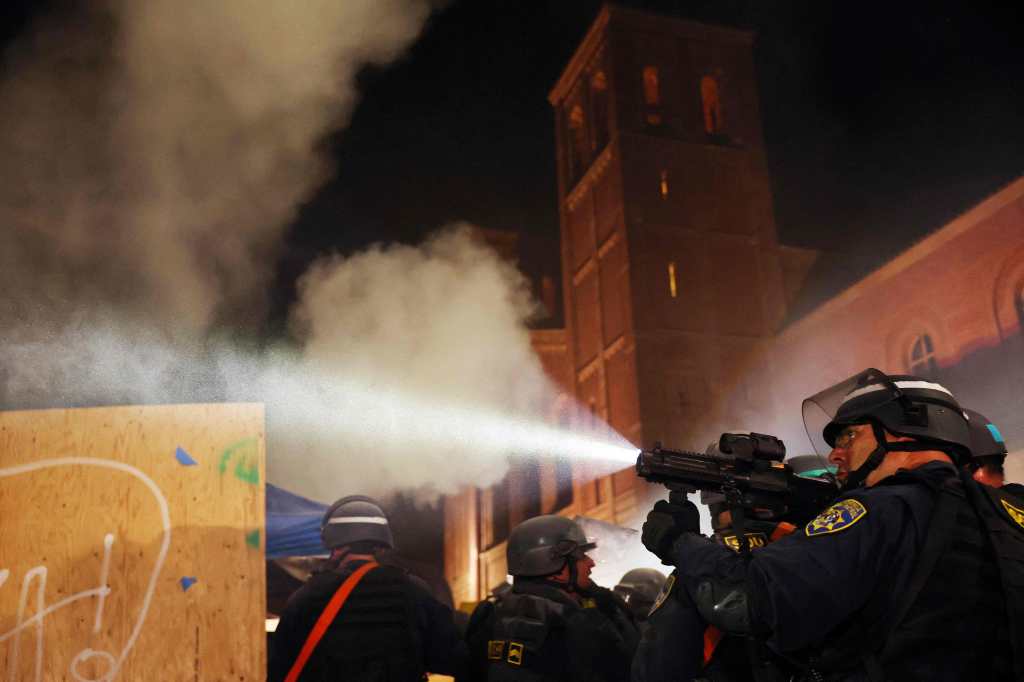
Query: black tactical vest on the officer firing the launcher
[{"x": 953, "y": 607}]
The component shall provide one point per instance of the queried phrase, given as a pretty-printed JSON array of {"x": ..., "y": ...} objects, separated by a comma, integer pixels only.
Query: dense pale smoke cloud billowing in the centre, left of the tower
[{"x": 407, "y": 354}]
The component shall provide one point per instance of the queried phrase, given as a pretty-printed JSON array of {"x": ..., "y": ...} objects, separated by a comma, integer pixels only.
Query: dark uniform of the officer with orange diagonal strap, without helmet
[{"x": 391, "y": 629}]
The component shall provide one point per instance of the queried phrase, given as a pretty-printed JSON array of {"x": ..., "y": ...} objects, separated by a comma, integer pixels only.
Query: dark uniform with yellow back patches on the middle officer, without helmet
[{"x": 538, "y": 633}]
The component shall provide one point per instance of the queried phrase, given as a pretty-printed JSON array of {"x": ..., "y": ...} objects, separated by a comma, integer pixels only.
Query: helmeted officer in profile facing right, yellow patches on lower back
[{"x": 554, "y": 624}]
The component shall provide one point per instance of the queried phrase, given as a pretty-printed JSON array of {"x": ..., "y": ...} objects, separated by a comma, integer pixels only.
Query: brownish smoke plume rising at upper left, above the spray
[{"x": 152, "y": 153}]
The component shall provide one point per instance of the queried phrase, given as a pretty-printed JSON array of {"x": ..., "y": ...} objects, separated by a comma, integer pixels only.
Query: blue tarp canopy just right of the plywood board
[{"x": 292, "y": 525}]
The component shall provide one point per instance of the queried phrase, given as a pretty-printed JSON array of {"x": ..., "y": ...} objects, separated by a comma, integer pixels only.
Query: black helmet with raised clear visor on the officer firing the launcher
[{"x": 904, "y": 405}]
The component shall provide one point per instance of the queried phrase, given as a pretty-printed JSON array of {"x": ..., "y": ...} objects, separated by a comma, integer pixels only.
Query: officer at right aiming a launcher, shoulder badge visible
[{"x": 897, "y": 580}]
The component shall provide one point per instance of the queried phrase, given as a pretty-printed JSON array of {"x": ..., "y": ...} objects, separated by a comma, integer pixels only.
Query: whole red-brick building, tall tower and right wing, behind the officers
[{"x": 676, "y": 290}]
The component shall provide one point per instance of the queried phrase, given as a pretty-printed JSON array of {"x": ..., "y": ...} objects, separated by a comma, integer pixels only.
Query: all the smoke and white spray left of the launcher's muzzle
[{"x": 153, "y": 154}]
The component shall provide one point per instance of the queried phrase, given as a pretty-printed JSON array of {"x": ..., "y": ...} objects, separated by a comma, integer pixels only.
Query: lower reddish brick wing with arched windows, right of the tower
[{"x": 951, "y": 308}]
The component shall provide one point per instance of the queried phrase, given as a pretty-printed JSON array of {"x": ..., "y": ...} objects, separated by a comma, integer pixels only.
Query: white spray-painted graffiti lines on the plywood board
[{"x": 42, "y": 612}]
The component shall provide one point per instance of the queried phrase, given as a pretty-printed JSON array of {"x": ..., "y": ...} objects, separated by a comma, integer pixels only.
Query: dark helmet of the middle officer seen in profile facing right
[{"x": 542, "y": 545}]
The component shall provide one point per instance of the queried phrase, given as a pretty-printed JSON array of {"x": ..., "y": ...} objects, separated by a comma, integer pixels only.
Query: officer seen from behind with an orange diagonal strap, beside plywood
[{"x": 389, "y": 628}]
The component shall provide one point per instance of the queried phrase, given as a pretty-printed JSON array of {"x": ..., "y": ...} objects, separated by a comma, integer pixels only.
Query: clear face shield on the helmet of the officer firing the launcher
[{"x": 866, "y": 391}]
